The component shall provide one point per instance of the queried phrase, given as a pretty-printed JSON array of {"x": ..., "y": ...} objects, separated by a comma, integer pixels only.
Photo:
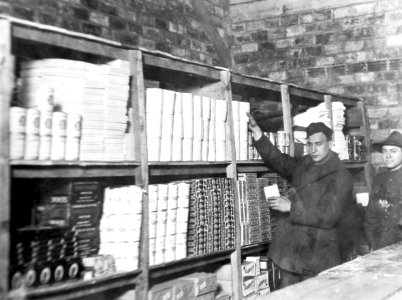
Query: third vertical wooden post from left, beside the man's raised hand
[{"x": 235, "y": 257}]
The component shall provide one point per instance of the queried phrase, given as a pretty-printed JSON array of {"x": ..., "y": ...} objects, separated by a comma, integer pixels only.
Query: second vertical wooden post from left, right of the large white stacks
[{"x": 142, "y": 179}]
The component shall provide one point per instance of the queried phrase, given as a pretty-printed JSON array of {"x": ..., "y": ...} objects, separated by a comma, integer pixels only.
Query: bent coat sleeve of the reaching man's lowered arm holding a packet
[{"x": 329, "y": 207}]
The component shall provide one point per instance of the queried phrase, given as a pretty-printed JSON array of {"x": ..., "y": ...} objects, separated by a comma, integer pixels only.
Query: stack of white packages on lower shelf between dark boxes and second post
[{"x": 120, "y": 226}]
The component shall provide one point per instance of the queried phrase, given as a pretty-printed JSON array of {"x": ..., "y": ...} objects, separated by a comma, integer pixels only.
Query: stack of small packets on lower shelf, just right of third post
[{"x": 249, "y": 208}]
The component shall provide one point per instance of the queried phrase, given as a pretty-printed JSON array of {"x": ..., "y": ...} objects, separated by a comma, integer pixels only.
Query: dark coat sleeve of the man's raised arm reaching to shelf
[{"x": 282, "y": 163}]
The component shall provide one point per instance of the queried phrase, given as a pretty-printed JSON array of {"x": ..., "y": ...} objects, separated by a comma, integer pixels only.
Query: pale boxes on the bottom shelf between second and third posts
[{"x": 197, "y": 286}]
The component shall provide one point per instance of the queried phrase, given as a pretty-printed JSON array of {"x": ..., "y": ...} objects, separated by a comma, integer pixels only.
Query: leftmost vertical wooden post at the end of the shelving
[{"x": 6, "y": 88}]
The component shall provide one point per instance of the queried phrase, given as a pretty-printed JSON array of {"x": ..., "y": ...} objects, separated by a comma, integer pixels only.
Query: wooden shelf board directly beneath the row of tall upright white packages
[{"x": 187, "y": 168}]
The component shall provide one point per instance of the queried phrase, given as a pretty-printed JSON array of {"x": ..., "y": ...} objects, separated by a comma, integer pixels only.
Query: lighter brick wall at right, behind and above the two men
[{"x": 353, "y": 49}]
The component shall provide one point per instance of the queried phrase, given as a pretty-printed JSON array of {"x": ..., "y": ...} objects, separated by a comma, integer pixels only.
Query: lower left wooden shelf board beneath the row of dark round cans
[{"x": 79, "y": 288}]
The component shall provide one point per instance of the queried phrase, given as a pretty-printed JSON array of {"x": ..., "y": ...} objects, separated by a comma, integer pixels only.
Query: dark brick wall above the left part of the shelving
[{"x": 172, "y": 26}]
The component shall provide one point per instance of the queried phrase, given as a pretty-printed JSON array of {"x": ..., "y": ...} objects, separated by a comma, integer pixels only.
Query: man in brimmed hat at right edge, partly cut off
[{"x": 384, "y": 211}]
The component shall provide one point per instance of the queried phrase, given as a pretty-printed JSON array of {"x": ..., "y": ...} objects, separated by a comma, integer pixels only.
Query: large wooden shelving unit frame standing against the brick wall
[{"x": 26, "y": 39}]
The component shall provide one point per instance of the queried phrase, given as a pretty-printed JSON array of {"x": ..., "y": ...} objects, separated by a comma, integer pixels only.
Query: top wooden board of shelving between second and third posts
[{"x": 181, "y": 66}]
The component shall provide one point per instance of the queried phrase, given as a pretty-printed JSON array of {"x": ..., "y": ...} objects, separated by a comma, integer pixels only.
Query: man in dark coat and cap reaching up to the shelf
[{"x": 305, "y": 240}]
